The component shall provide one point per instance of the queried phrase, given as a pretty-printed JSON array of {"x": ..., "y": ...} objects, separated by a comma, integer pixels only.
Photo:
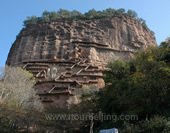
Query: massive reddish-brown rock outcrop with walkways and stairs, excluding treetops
[{"x": 67, "y": 54}]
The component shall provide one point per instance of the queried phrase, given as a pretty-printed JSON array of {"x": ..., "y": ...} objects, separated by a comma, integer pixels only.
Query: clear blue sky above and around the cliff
[{"x": 14, "y": 12}]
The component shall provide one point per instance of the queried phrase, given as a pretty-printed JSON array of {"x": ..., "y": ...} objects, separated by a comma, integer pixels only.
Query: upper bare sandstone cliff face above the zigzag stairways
[{"x": 102, "y": 40}]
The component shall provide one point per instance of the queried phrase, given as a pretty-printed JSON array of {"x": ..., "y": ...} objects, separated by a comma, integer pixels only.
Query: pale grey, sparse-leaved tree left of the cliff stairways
[{"x": 17, "y": 88}]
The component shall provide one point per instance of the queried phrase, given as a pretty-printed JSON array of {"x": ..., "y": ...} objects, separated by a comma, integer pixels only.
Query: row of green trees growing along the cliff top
[{"x": 91, "y": 14}]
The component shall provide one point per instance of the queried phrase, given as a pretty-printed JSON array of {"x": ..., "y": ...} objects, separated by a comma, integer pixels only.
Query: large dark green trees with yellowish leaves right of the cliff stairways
[{"x": 140, "y": 86}]
